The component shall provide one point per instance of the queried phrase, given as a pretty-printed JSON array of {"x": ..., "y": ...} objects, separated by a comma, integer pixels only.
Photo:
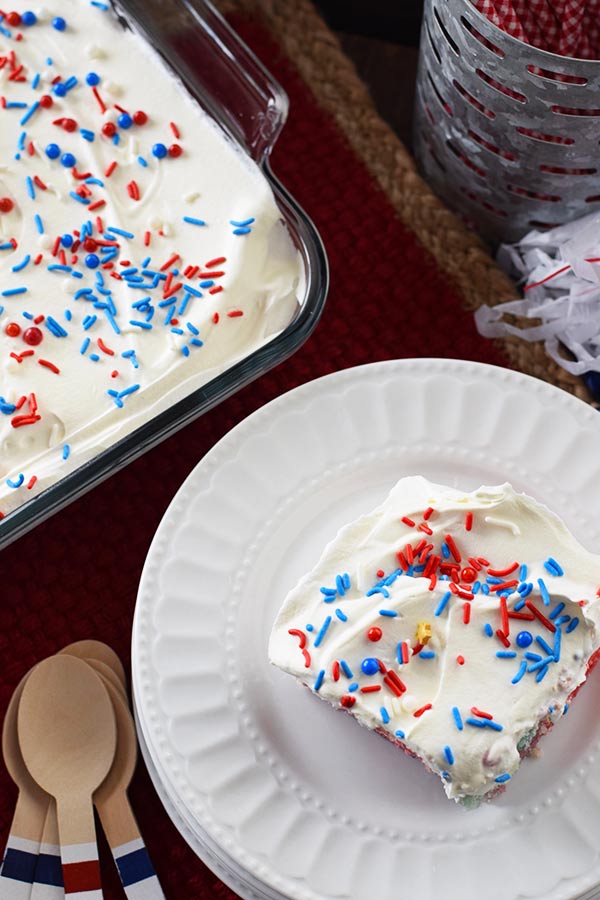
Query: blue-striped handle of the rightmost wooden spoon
[{"x": 136, "y": 871}]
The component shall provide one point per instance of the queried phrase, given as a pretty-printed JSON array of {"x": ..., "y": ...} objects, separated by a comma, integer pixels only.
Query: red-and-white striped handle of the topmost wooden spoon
[{"x": 78, "y": 847}]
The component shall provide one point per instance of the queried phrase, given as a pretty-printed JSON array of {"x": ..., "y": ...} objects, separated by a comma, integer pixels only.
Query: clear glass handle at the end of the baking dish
[{"x": 217, "y": 67}]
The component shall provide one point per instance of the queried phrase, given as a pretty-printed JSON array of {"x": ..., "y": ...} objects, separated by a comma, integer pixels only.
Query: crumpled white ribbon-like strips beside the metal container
[{"x": 560, "y": 275}]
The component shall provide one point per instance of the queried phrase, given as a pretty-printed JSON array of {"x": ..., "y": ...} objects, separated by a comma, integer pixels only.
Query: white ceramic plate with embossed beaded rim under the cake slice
[{"x": 296, "y": 798}]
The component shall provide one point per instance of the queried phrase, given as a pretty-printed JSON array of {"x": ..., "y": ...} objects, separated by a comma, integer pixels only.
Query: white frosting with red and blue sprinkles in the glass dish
[{"x": 253, "y": 292}]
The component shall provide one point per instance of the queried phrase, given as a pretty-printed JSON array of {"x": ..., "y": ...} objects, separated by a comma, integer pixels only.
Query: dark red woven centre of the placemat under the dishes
[{"x": 76, "y": 576}]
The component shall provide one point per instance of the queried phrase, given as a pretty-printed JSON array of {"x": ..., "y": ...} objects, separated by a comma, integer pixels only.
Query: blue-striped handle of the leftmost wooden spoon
[{"x": 22, "y": 847}]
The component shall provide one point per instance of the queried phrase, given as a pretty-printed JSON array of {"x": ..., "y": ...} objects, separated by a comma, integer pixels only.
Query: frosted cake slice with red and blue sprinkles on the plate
[{"x": 457, "y": 625}]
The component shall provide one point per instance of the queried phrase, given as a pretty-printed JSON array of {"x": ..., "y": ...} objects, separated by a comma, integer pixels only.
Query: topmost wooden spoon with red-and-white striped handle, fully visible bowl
[{"x": 67, "y": 734}]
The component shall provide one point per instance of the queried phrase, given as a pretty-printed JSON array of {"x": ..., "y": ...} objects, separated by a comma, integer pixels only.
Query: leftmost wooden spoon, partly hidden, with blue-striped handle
[{"x": 23, "y": 843}]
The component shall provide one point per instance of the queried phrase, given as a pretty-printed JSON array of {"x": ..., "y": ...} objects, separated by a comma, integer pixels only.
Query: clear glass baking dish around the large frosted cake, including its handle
[{"x": 230, "y": 83}]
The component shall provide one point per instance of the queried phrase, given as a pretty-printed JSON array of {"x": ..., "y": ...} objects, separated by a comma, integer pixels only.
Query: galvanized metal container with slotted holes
[{"x": 506, "y": 134}]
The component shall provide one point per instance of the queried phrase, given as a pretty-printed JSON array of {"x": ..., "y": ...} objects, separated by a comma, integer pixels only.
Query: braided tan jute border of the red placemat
[{"x": 459, "y": 253}]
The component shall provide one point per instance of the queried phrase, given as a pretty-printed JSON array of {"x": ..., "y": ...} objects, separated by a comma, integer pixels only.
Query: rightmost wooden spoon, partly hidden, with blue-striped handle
[{"x": 118, "y": 821}]
